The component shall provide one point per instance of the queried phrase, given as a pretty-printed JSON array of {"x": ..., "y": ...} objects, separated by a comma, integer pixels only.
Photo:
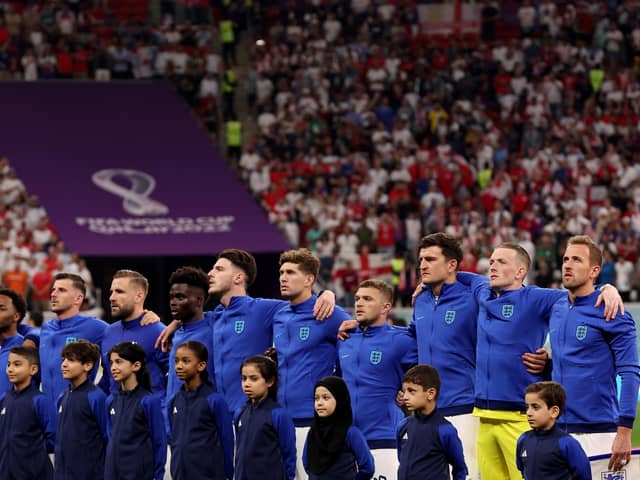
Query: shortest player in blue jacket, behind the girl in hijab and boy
[{"x": 372, "y": 362}]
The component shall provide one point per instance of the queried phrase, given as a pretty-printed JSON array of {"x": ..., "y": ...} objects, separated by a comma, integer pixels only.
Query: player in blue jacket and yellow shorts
[{"x": 513, "y": 323}]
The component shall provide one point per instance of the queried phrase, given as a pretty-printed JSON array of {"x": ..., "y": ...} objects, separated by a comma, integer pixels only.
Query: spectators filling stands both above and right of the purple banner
[{"x": 371, "y": 133}]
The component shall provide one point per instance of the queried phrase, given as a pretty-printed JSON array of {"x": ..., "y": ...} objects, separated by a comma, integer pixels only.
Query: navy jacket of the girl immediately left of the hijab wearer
[{"x": 265, "y": 442}]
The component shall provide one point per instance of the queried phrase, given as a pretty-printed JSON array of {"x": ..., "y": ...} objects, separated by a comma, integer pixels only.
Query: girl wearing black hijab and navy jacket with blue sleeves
[{"x": 335, "y": 449}]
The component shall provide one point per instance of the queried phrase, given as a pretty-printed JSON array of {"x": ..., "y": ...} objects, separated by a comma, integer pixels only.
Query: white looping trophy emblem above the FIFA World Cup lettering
[{"x": 135, "y": 197}]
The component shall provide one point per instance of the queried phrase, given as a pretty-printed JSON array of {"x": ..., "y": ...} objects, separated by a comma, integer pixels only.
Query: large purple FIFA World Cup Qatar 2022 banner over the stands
[{"x": 123, "y": 169}]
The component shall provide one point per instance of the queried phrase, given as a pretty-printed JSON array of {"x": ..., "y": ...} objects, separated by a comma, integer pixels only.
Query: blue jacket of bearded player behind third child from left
[{"x": 145, "y": 336}]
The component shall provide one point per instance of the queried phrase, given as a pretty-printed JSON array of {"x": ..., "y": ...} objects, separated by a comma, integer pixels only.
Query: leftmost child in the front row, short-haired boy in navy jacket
[{"x": 27, "y": 427}]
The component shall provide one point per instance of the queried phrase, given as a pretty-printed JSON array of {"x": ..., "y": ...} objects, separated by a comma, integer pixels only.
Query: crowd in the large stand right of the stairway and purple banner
[{"x": 371, "y": 134}]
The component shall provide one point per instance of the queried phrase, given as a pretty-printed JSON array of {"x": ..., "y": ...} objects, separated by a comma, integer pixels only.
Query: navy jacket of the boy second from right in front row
[{"x": 427, "y": 445}]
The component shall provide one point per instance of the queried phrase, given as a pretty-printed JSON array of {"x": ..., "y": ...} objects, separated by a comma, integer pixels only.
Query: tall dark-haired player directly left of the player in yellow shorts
[{"x": 445, "y": 325}]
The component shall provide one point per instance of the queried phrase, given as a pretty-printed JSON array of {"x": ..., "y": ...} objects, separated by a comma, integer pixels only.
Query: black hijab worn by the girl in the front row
[{"x": 327, "y": 434}]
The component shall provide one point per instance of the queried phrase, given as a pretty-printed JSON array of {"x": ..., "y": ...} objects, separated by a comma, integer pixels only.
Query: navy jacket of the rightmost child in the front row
[{"x": 551, "y": 455}]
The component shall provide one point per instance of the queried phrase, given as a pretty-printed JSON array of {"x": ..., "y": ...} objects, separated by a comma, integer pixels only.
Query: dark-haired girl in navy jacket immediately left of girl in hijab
[{"x": 265, "y": 435}]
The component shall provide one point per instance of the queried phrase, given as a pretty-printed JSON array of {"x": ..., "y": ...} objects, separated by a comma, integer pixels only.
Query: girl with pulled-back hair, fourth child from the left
[{"x": 201, "y": 430}]
